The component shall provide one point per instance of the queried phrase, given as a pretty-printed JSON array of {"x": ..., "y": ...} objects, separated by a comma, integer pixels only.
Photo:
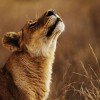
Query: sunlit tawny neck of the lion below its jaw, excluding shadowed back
[{"x": 33, "y": 75}]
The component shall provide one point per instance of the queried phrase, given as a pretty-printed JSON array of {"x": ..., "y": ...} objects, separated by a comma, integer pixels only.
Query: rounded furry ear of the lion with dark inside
[{"x": 11, "y": 40}]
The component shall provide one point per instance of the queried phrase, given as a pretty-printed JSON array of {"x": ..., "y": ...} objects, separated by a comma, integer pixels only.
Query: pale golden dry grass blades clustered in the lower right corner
[{"x": 93, "y": 92}]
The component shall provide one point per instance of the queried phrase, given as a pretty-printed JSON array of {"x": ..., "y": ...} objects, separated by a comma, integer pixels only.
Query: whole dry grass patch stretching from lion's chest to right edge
[{"x": 86, "y": 88}]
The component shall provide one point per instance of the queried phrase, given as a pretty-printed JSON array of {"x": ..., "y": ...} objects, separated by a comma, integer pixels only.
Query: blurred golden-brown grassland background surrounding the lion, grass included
[{"x": 76, "y": 71}]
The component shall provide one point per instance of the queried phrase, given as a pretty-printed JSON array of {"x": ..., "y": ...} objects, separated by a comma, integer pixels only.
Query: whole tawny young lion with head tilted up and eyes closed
[{"x": 27, "y": 73}]
